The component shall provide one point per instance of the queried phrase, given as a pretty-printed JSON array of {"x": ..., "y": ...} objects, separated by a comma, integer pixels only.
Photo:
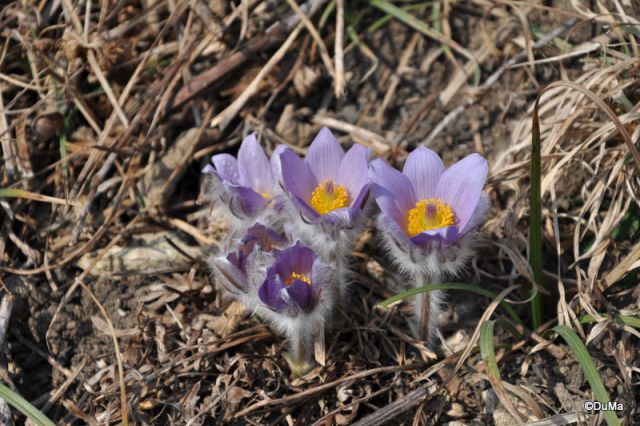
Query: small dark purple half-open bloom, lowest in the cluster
[{"x": 294, "y": 282}]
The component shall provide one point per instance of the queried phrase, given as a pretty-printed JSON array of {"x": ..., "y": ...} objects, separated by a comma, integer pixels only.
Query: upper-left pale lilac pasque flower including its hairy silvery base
[{"x": 246, "y": 185}]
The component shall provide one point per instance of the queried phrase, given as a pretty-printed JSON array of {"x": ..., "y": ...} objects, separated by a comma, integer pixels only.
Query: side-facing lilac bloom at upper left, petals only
[{"x": 248, "y": 181}]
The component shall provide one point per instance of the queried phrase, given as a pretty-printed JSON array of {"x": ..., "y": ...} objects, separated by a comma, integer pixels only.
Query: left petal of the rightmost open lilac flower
[{"x": 392, "y": 191}]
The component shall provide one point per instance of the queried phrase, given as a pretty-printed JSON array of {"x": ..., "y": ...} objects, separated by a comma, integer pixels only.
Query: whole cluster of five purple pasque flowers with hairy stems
[{"x": 294, "y": 222}]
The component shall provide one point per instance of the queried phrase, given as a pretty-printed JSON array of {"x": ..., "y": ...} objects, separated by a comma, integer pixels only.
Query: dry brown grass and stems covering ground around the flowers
[{"x": 109, "y": 109}]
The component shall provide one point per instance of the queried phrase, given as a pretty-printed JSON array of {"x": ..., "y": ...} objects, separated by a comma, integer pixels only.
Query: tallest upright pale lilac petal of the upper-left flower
[{"x": 254, "y": 166}]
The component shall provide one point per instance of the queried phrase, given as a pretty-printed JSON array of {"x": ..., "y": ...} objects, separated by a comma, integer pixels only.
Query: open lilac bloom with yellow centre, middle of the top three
[{"x": 328, "y": 185}]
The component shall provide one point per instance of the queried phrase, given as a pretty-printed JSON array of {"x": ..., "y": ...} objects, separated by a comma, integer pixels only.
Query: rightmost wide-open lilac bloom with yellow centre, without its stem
[{"x": 427, "y": 203}]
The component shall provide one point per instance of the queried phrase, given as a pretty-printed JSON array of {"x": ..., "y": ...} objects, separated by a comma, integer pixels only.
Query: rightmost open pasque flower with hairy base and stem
[{"x": 428, "y": 218}]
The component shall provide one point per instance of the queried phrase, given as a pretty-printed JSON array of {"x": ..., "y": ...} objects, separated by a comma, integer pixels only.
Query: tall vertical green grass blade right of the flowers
[{"x": 535, "y": 222}]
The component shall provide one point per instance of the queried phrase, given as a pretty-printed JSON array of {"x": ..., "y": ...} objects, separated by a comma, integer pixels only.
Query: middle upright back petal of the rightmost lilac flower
[{"x": 423, "y": 168}]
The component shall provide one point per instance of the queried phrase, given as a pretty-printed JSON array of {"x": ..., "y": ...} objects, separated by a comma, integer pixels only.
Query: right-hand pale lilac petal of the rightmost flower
[{"x": 461, "y": 185}]
